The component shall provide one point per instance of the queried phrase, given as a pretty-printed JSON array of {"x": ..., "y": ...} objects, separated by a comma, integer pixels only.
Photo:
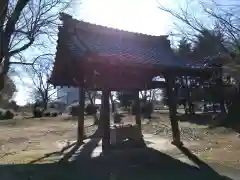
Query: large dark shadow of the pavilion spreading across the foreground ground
[{"x": 140, "y": 163}]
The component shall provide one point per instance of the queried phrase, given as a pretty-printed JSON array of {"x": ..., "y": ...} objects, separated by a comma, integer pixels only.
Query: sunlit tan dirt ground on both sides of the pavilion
[{"x": 25, "y": 140}]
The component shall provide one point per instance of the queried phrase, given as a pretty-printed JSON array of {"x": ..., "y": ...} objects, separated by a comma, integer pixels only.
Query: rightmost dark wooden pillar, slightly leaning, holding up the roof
[{"x": 172, "y": 102}]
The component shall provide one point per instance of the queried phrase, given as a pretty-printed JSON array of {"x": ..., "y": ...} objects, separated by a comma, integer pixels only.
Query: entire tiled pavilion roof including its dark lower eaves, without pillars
[{"x": 112, "y": 46}]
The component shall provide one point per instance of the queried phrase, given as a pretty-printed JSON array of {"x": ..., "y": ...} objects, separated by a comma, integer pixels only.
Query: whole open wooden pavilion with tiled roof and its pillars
[{"x": 95, "y": 57}]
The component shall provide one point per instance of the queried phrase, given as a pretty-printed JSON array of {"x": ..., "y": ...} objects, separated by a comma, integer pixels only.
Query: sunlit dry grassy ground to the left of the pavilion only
[{"x": 24, "y": 140}]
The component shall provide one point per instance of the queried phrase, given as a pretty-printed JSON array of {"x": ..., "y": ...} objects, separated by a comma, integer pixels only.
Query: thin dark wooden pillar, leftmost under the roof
[{"x": 80, "y": 127}]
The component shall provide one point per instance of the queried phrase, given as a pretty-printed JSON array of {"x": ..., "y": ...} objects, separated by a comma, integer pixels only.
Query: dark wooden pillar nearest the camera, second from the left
[{"x": 105, "y": 118}]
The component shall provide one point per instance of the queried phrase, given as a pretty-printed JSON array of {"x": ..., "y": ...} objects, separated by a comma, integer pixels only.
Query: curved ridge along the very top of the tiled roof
[{"x": 101, "y": 29}]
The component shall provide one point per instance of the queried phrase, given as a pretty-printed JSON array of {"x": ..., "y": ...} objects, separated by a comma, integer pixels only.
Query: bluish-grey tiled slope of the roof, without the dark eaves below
[{"x": 118, "y": 44}]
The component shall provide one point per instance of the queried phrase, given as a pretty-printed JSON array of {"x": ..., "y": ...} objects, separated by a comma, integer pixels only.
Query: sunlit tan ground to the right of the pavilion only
[{"x": 219, "y": 145}]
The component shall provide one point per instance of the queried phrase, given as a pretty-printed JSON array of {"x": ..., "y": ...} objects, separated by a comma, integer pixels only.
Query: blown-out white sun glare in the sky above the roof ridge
[{"x": 132, "y": 15}]
